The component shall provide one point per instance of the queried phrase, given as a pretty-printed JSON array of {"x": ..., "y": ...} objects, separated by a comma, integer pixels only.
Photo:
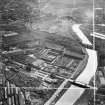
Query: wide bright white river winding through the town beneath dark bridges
[{"x": 74, "y": 92}]
